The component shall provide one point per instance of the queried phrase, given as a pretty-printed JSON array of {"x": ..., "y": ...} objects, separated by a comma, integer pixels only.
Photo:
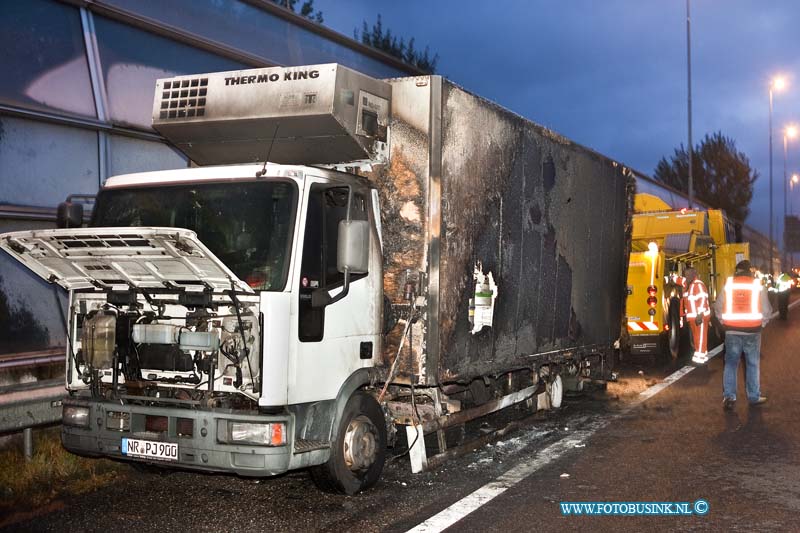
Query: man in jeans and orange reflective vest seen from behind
[{"x": 743, "y": 308}]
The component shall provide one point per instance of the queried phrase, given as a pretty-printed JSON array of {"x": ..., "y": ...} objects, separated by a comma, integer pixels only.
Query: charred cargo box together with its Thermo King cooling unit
[{"x": 510, "y": 240}]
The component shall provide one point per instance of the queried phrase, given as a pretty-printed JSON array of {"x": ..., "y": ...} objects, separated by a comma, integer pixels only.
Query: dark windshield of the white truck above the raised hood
[{"x": 248, "y": 226}]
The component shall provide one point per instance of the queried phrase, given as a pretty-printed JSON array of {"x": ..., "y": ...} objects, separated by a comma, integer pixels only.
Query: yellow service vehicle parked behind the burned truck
[{"x": 664, "y": 242}]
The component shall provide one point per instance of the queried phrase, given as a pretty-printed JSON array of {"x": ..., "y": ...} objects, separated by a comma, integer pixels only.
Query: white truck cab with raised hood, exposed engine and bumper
[{"x": 215, "y": 288}]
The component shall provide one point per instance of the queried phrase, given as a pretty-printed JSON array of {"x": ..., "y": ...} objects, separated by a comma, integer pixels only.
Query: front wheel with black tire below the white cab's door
[{"x": 358, "y": 450}]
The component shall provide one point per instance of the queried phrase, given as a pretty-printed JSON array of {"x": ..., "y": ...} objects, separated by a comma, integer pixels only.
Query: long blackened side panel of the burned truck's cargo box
[{"x": 548, "y": 218}]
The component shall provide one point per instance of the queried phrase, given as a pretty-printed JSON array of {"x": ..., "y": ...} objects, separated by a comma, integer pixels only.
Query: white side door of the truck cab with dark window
[{"x": 336, "y": 340}]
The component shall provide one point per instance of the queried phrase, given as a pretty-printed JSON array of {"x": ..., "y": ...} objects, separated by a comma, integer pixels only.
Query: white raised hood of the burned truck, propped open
[{"x": 121, "y": 258}]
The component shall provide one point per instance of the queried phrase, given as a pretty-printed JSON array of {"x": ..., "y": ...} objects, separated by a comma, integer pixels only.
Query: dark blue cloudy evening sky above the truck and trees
[{"x": 611, "y": 74}]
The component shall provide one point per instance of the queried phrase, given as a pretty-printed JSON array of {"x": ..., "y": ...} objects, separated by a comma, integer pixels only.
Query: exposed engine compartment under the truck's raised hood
[{"x": 167, "y": 346}]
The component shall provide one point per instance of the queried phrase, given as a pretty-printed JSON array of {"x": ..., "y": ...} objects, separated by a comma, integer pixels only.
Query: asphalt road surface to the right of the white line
[{"x": 679, "y": 446}]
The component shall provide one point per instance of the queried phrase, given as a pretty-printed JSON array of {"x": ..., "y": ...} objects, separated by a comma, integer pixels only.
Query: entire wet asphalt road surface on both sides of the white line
[{"x": 677, "y": 446}]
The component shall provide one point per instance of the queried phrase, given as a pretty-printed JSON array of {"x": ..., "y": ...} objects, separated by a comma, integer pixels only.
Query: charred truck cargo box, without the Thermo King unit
[{"x": 520, "y": 236}]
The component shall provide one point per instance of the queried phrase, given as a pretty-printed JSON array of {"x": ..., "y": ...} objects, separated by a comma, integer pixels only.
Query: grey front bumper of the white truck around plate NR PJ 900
[{"x": 199, "y": 451}]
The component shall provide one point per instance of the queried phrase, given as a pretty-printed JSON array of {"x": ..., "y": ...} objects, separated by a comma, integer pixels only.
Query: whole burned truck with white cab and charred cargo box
[{"x": 410, "y": 257}]
